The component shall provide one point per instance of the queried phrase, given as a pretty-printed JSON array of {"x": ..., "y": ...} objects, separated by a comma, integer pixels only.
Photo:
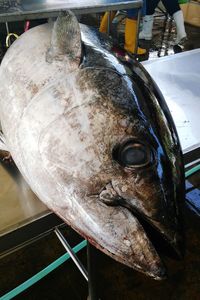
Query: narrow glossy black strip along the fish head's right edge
[{"x": 169, "y": 152}]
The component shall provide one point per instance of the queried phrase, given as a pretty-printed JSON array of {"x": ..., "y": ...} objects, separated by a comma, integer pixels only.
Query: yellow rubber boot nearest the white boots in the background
[{"x": 130, "y": 37}]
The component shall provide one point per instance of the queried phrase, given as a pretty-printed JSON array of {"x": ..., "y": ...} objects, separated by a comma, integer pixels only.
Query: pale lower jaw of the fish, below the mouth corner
[{"x": 118, "y": 233}]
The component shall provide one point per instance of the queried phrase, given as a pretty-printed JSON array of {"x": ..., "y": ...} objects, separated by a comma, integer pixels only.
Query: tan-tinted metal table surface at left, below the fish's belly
[{"x": 18, "y": 204}]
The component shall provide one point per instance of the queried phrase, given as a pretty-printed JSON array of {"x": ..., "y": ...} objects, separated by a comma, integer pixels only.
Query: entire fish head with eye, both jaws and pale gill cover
[{"x": 115, "y": 157}]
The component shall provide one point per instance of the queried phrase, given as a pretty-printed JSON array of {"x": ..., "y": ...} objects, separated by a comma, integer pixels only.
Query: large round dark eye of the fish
[{"x": 133, "y": 154}]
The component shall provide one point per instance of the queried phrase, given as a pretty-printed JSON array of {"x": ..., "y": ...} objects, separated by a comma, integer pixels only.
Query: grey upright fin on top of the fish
[{"x": 65, "y": 39}]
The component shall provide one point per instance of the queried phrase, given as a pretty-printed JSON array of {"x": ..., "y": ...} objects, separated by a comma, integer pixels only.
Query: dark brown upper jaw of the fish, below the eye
[{"x": 154, "y": 202}]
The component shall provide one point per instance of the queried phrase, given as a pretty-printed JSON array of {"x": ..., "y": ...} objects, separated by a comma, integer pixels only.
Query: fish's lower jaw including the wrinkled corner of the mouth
[{"x": 121, "y": 234}]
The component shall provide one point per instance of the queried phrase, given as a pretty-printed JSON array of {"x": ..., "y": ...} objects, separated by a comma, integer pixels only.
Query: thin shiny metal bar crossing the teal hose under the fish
[{"x": 71, "y": 253}]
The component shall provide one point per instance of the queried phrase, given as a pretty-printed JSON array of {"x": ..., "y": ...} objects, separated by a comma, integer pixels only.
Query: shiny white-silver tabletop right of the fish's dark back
[{"x": 178, "y": 77}]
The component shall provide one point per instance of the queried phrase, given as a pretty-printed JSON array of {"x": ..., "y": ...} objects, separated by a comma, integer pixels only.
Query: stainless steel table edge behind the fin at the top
[{"x": 15, "y": 10}]
